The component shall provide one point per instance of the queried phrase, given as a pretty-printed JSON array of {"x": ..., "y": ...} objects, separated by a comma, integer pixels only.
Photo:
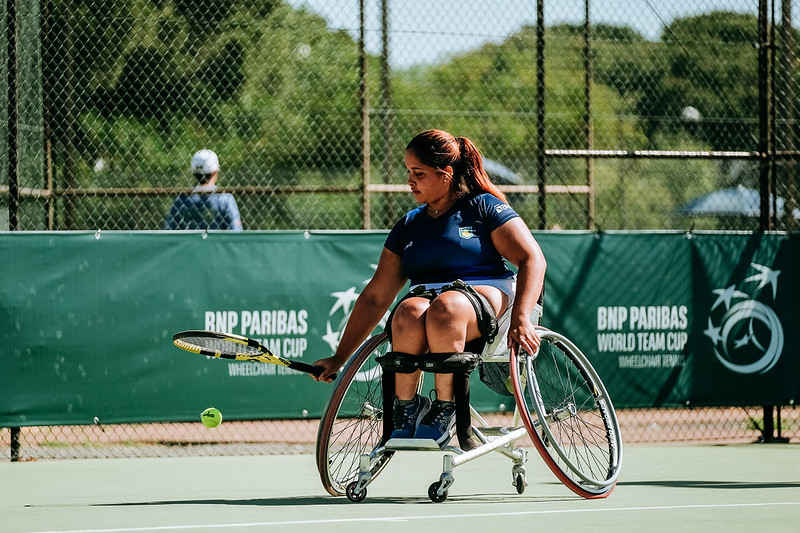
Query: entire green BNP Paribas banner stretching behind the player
[{"x": 87, "y": 319}]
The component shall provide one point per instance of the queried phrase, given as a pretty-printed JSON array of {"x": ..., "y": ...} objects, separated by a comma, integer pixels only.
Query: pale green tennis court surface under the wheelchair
[{"x": 749, "y": 487}]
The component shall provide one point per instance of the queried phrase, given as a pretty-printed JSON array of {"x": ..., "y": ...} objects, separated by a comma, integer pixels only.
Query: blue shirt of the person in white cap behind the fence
[{"x": 204, "y": 209}]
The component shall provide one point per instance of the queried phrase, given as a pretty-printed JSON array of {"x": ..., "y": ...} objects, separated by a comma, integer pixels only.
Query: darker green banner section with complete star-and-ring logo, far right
[{"x": 746, "y": 343}]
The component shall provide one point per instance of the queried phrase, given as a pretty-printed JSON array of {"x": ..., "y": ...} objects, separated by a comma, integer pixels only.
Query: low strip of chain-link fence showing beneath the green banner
[{"x": 254, "y": 437}]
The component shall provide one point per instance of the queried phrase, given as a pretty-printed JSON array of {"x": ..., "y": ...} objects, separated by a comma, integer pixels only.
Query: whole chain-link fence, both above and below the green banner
[{"x": 592, "y": 115}]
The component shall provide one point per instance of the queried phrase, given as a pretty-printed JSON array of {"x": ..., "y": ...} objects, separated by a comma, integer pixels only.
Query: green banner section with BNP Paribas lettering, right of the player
[{"x": 626, "y": 300}]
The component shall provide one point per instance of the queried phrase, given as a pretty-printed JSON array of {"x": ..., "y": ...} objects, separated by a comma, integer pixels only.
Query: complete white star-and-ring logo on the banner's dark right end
[{"x": 746, "y": 333}]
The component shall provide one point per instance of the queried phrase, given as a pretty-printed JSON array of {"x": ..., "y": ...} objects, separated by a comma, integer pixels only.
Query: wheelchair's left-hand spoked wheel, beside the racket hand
[{"x": 352, "y": 423}]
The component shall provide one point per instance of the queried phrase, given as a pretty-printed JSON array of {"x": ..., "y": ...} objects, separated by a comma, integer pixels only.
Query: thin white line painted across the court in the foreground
[{"x": 421, "y": 517}]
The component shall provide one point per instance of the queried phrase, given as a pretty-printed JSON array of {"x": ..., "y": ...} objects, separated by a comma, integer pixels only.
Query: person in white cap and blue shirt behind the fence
[{"x": 204, "y": 208}]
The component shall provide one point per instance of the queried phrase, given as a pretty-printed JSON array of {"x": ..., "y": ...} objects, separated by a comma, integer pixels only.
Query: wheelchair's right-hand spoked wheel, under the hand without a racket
[{"x": 569, "y": 415}]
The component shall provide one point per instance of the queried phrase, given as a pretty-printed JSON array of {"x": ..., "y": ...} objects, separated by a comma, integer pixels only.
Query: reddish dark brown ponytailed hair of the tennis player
[{"x": 439, "y": 149}]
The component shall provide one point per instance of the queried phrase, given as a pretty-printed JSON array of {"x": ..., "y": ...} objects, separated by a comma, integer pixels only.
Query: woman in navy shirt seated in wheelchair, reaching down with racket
[{"x": 464, "y": 229}]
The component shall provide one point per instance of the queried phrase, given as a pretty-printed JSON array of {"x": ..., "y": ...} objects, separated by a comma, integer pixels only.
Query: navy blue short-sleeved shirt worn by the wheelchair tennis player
[{"x": 456, "y": 245}]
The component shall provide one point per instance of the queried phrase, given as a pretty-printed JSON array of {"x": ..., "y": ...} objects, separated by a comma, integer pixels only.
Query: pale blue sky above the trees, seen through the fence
[{"x": 430, "y": 31}]
